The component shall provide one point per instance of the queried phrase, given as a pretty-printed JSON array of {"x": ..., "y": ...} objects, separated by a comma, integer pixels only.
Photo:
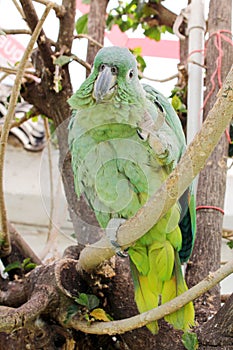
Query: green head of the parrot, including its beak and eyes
[{"x": 115, "y": 71}]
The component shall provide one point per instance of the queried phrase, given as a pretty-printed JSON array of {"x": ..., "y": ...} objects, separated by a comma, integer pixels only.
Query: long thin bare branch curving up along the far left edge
[{"x": 4, "y": 232}]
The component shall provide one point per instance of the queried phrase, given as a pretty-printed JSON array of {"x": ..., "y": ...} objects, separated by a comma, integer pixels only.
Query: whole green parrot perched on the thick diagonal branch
[{"x": 125, "y": 139}]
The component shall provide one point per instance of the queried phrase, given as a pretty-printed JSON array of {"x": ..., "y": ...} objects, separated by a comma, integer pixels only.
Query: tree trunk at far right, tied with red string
[{"x": 206, "y": 256}]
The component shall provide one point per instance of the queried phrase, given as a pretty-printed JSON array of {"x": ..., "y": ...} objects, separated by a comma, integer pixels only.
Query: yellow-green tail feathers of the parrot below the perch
[{"x": 158, "y": 278}]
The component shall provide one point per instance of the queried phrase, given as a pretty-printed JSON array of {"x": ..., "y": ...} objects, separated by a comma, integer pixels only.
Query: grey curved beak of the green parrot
[{"x": 105, "y": 85}]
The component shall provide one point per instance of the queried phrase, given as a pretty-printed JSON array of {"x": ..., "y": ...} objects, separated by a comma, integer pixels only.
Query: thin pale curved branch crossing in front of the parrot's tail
[{"x": 125, "y": 325}]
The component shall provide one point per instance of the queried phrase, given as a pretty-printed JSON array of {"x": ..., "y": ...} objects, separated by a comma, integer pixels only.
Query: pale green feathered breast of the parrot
[{"x": 115, "y": 169}]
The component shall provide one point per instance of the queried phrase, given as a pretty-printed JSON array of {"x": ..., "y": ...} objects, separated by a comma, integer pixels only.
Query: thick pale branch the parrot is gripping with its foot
[{"x": 191, "y": 163}]
